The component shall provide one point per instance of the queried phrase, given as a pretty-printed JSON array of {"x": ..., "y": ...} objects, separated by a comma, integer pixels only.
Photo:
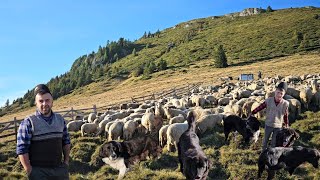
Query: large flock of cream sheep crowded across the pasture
[{"x": 210, "y": 105}]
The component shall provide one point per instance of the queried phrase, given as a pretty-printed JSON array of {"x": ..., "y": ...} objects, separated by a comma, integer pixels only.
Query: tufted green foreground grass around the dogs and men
[{"x": 233, "y": 161}]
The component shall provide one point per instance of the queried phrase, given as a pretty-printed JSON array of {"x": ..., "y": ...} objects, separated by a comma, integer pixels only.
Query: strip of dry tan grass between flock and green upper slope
[{"x": 110, "y": 92}]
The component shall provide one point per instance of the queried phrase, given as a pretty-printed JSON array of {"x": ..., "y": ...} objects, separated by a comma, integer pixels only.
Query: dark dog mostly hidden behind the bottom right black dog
[{"x": 286, "y": 137}]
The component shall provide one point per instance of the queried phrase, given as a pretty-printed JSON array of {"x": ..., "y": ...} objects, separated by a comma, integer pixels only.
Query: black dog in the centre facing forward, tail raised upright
[{"x": 193, "y": 162}]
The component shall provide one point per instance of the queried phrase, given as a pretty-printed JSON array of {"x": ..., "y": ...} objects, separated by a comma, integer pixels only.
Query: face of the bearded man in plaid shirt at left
[{"x": 44, "y": 103}]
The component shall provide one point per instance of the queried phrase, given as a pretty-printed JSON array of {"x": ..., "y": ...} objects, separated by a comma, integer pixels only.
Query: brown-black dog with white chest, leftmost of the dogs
[{"x": 120, "y": 155}]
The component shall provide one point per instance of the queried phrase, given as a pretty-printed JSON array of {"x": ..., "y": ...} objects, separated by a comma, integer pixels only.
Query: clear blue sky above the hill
[{"x": 40, "y": 39}]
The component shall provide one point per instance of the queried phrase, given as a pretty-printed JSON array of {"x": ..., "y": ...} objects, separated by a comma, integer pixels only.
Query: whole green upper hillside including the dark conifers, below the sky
[{"x": 245, "y": 40}]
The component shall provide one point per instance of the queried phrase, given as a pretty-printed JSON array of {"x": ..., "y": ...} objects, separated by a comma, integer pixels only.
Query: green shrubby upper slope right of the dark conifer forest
[{"x": 245, "y": 39}]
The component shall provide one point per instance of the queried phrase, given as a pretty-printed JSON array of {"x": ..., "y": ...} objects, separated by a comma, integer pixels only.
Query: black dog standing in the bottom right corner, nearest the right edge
[{"x": 289, "y": 158}]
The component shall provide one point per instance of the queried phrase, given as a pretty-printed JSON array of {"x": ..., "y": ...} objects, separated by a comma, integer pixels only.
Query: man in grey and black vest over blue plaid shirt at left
[{"x": 43, "y": 142}]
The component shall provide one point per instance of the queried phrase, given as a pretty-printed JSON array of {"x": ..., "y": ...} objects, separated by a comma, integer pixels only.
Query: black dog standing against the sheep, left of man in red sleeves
[{"x": 247, "y": 128}]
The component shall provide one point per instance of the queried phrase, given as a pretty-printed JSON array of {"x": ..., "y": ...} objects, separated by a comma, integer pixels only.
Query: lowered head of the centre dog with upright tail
[{"x": 197, "y": 168}]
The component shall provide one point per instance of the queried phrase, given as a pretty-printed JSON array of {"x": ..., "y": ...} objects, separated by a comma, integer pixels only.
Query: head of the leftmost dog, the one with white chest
[{"x": 111, "y": 150}]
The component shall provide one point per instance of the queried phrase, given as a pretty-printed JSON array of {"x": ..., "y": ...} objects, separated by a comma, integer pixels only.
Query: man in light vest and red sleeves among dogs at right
[{"x": 276, "y": 114}]
